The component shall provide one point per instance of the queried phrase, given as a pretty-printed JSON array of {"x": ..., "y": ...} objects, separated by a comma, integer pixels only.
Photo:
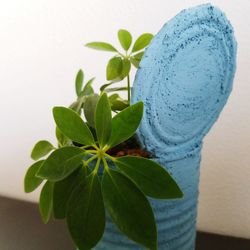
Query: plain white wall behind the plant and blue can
[{"x": 41, "y": 48}]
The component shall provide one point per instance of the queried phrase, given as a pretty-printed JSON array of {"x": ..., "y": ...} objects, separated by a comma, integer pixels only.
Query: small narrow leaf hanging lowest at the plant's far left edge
[{"x": 46, "y": 201}]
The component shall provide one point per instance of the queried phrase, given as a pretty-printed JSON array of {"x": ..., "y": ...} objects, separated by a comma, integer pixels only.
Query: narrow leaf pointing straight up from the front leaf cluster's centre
[{"x": 103, "y": 120}]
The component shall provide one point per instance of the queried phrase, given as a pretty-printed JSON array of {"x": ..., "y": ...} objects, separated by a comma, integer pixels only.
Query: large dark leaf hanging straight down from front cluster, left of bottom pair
[{"x": 86, "y": 214}]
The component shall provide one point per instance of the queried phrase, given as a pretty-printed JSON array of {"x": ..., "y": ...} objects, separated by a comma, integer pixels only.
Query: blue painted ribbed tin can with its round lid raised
[{"x": 185, "y": 78}]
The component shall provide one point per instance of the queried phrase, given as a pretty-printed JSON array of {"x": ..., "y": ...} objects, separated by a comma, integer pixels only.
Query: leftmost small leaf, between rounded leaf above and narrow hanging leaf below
[{"x": 31, "y": 182}]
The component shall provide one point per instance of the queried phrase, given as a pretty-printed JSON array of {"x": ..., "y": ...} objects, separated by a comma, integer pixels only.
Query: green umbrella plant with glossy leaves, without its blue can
[{"x": 83, "y": 180}]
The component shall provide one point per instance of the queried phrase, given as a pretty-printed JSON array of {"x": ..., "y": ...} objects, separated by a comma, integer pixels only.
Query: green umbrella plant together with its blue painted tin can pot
[{"x": 112, "y": 152}]
